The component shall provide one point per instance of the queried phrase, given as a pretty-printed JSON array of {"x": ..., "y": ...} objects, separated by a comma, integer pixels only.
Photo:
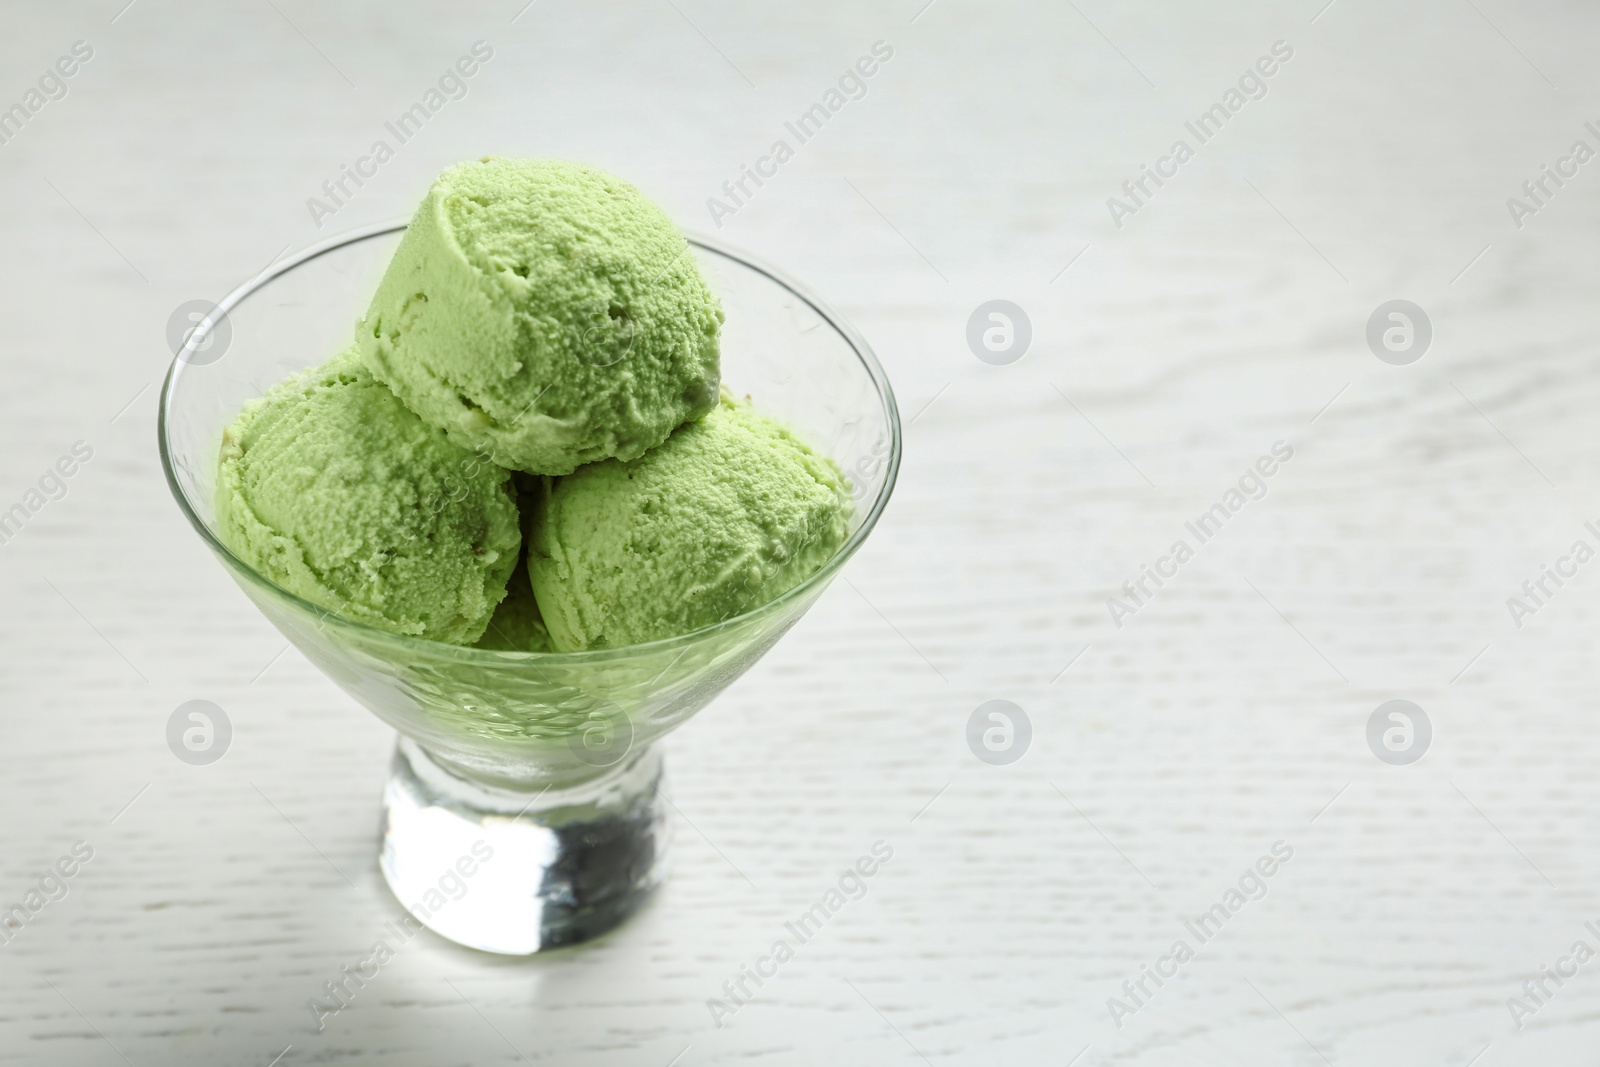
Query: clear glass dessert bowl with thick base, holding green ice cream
[{"x": 524, "y": 809}]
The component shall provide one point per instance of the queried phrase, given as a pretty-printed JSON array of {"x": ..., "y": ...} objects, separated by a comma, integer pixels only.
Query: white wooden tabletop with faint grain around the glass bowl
[{"x": 1230, "y": 714}]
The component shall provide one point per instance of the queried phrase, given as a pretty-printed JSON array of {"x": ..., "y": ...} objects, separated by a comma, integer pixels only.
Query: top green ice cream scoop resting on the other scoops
[{"x": 545, "y": 314}]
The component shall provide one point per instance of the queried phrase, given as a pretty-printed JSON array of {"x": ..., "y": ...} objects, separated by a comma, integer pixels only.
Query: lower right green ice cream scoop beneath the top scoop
[{"x": 726, "y": 516}]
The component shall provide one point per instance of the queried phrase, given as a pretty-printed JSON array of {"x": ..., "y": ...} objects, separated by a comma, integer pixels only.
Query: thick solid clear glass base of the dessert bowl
[{"x": 522, "y": 871}]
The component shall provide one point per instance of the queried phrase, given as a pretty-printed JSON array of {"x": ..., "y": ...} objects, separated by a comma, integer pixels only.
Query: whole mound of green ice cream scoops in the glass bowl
[{"x": 542, "y": 318}]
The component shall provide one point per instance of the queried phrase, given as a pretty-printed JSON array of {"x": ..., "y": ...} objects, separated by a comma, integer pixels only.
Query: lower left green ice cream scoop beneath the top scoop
[{"x": 334, "y": 490}]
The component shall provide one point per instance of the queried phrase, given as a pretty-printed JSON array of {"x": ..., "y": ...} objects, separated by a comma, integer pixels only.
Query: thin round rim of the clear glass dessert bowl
[{"x": 369, "y": 633}]
